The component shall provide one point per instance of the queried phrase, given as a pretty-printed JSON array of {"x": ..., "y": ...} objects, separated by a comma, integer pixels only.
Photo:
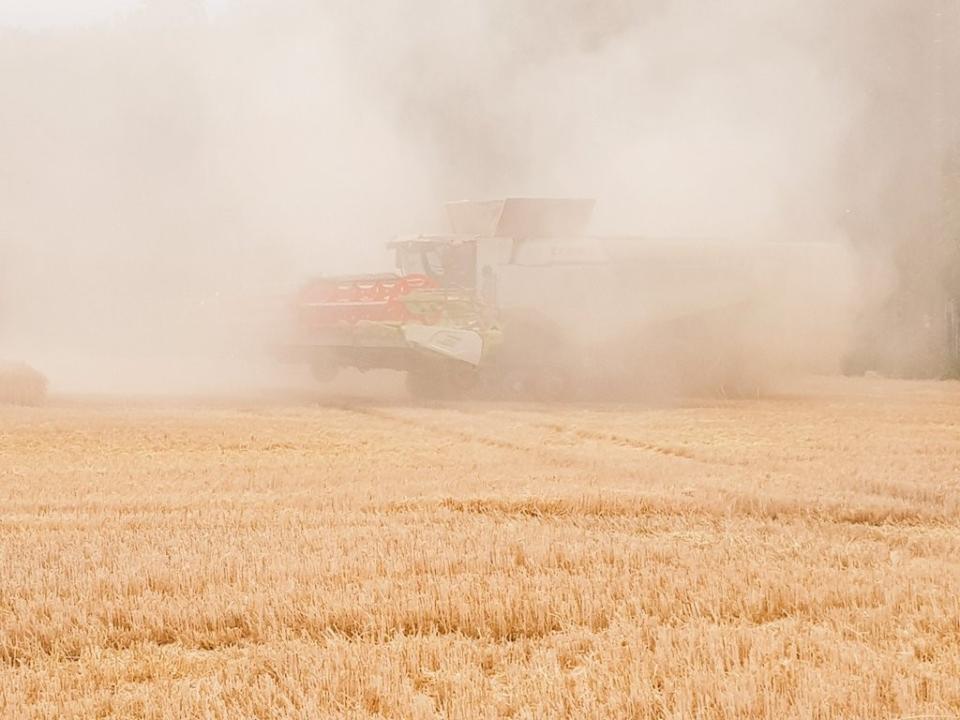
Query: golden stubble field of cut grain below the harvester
[{"x": 795, "y": 556}]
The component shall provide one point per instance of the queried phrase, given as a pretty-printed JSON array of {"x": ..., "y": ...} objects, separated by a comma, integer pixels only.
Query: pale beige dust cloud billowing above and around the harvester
[{"x": 168, "y": 178}]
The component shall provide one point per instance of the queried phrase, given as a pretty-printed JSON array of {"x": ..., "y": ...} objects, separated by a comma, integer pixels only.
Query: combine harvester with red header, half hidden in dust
[{"x": 519, "y": 302}]
